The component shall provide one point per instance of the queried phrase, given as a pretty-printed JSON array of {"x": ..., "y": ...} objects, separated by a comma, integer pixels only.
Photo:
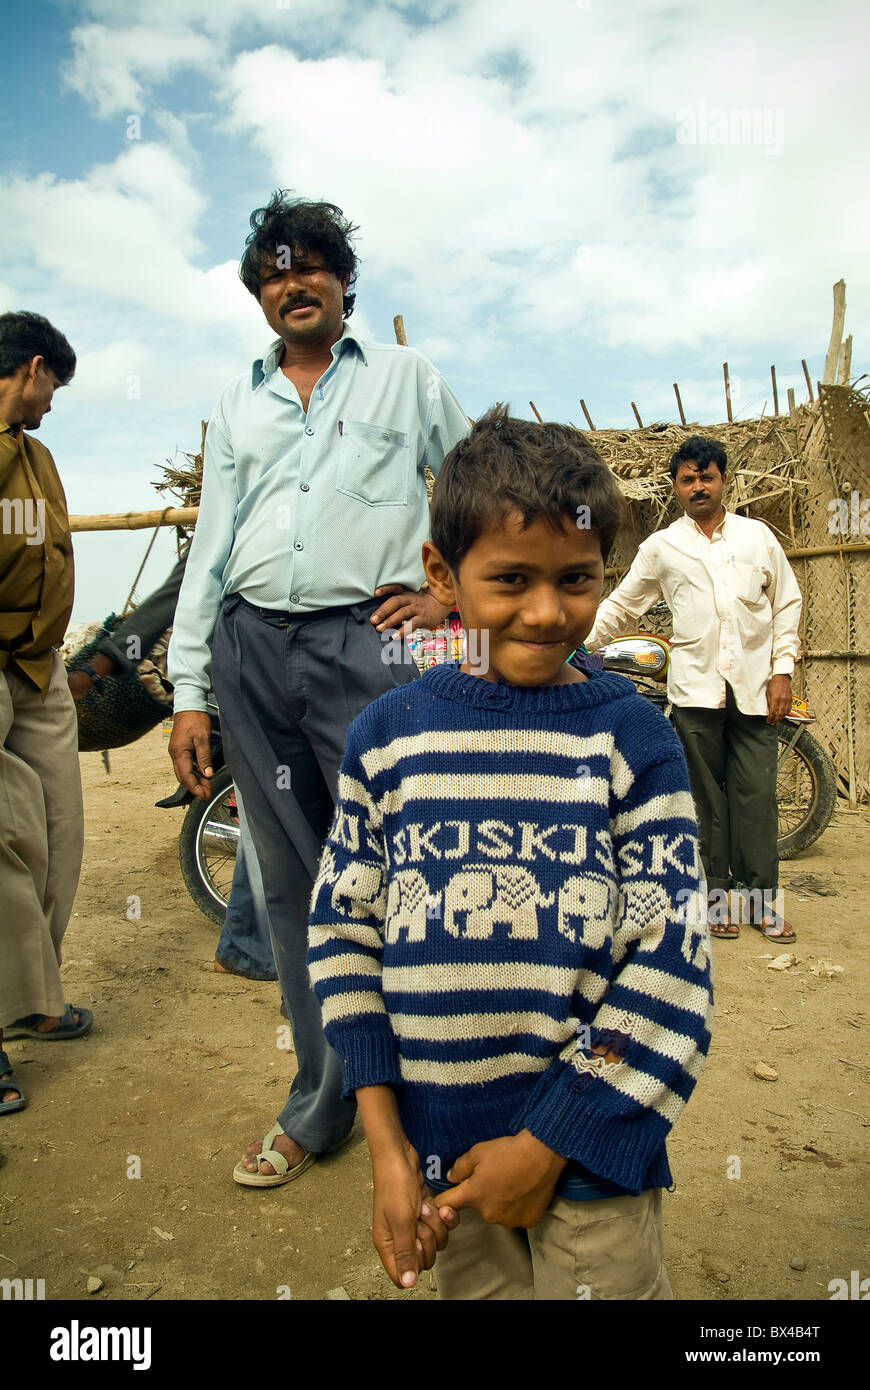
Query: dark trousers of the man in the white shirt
[{"x": 733, "y": 771}]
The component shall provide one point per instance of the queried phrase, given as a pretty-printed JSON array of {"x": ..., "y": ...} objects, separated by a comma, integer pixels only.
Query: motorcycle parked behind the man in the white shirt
[{"x": 807, "y": 778}]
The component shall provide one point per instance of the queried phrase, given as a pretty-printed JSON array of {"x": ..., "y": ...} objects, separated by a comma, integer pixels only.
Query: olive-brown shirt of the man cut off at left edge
[{"x": 37, "y": 569}]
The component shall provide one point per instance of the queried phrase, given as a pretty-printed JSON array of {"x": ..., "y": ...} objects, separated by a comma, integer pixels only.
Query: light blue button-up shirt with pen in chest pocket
[{"x": 304, "y": 511}]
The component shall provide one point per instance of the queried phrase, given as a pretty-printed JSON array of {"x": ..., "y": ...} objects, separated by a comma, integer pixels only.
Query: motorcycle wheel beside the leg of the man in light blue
[{"x": 208, "y": 847}]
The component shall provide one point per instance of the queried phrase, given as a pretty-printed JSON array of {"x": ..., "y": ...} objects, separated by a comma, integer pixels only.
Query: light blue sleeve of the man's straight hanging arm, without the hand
[{"x": 199, "y": 601}]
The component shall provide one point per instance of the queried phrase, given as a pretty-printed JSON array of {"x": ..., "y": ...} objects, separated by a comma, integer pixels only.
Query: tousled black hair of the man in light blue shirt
[{"x": 301, "y": 227}]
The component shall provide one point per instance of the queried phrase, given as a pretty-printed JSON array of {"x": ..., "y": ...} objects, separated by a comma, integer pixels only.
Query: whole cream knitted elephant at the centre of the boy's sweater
[{"x": 483, "y": 897}]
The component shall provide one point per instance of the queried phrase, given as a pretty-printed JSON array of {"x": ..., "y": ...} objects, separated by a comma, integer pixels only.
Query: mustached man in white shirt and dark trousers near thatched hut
[{"x": 736, "y": 608}]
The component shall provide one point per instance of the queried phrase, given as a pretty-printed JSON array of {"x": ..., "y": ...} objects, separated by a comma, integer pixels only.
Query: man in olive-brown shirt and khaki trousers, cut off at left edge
[{"x": 41, "y": 792}]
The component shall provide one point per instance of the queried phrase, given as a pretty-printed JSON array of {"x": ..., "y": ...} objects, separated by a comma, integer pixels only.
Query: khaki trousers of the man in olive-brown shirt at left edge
[{"x": 41, "y": 840}]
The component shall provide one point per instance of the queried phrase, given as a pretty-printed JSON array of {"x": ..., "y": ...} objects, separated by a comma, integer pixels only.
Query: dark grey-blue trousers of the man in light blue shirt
[{"x": 288, "y": 689}]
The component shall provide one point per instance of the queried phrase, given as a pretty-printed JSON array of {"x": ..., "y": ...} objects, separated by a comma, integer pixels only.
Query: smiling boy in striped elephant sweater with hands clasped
[{"x": 508, "y": 933}]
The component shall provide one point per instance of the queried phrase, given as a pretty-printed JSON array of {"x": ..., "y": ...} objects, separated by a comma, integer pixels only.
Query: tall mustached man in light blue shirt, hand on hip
[{"x": 308, "y": 547}]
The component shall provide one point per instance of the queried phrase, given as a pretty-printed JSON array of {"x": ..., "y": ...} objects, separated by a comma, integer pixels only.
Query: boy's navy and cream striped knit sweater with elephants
[{"x": 508, "y": 924}]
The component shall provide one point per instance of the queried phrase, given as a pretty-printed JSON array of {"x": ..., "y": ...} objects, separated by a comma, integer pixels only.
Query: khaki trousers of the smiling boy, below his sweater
[{"x": 611, "y": 1249}]
